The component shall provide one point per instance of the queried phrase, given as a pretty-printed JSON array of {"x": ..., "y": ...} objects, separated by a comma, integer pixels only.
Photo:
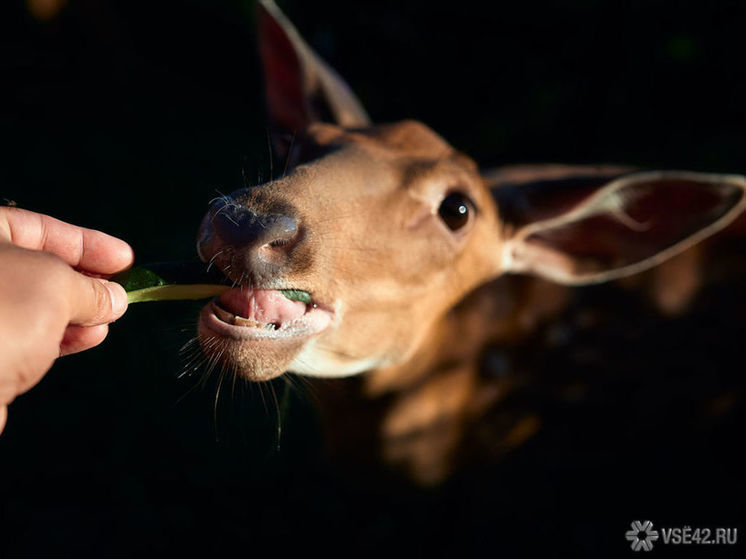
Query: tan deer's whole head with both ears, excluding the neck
[{"x": 387, "y": 227}]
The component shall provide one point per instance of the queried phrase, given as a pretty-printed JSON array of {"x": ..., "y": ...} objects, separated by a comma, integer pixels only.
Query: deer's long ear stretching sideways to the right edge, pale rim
[{"x": 594, "y": 230}]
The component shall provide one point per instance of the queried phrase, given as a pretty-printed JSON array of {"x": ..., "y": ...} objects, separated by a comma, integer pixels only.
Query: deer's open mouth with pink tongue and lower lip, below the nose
[{"x": 245, "y": 314}]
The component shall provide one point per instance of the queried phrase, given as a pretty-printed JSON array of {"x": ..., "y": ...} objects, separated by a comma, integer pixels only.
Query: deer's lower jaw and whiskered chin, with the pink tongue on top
[{"x": 258, "y": 333}]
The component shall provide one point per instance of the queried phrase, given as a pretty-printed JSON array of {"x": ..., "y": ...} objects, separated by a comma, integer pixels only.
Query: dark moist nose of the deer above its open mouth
[{"x": 260, "y": 243}]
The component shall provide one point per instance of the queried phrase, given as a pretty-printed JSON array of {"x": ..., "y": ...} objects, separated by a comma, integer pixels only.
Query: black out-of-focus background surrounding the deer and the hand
[{"x": 129, "y": 116}]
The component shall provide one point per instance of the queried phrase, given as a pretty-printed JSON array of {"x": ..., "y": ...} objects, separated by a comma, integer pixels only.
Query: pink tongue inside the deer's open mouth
[{"x": 266, "y": 306}]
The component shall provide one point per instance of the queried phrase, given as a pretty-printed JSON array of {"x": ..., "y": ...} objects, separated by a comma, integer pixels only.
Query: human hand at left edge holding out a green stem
[{"x": 53, "y": 300}]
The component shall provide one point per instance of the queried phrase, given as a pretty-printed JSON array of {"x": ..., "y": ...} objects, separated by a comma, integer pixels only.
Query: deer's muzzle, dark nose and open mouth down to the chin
[{"x": 255, "y": 328}]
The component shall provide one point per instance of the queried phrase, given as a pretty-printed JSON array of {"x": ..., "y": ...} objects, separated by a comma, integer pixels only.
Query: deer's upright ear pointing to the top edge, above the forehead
[{"x": 300, "y": 87}]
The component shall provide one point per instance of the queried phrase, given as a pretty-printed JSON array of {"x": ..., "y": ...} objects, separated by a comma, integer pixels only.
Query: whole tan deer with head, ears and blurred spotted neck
[{"x": 414, "y": 260}]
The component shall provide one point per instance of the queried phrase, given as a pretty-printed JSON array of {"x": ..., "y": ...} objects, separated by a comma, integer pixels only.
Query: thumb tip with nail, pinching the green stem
[{"x": 95, "y": 301}]
